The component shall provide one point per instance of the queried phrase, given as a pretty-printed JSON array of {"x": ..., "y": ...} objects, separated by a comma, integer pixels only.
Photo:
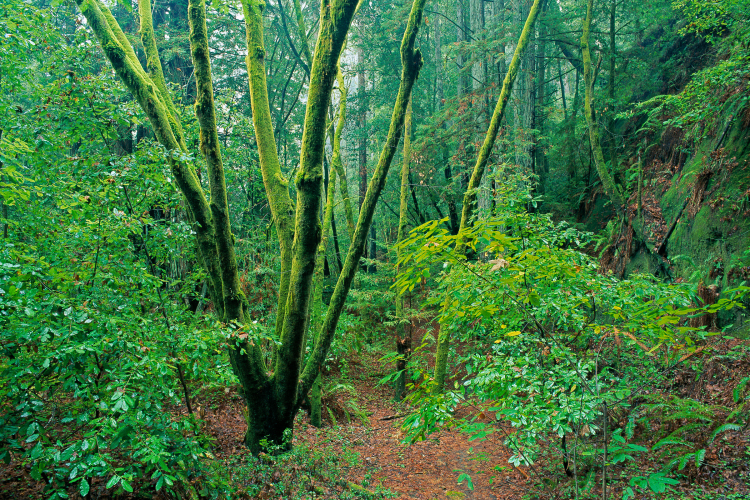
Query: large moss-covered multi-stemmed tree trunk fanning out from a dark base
[{"x": 272, "y": 400}]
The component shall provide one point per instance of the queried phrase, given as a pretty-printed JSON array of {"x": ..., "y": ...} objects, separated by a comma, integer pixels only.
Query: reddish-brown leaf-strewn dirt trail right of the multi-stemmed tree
[{"x": 425, "y": 470}]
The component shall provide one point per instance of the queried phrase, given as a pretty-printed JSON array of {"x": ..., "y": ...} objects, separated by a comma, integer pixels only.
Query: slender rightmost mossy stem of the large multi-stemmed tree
[{"x": 411, "y": 60}]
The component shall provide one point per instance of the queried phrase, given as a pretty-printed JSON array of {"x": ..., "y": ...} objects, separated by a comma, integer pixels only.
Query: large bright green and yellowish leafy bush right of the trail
[{"x": 548, "y": 344}]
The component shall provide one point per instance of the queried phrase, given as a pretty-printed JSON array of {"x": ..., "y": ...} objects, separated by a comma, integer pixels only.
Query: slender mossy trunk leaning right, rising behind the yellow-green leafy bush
[{"x": 470, "y": 197}]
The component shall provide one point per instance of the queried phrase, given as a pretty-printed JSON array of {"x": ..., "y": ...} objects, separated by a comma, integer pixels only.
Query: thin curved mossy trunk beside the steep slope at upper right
[{"x": 612, "y": 190}]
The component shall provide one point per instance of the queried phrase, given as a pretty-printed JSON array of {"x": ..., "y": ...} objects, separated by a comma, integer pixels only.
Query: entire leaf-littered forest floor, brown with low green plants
[{"x": 362, "y": 450}]
